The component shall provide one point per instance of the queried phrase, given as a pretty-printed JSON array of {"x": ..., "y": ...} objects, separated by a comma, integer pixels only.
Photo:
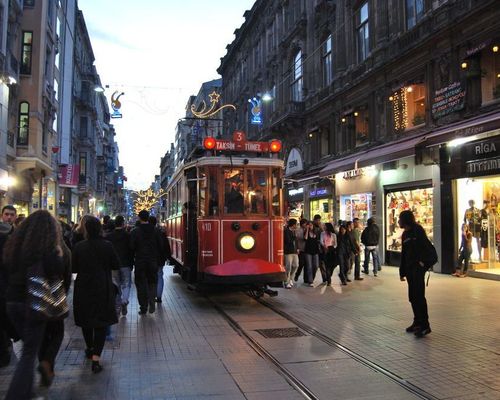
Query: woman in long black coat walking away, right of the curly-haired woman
[{"x": 94, "y": 297}]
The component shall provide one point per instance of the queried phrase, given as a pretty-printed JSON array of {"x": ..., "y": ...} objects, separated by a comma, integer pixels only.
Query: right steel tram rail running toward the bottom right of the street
[{"x": 417, "y": 391}]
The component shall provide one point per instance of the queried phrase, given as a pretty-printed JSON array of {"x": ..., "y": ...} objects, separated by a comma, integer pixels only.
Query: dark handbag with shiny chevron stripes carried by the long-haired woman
[{"x": 46, "y": 297}]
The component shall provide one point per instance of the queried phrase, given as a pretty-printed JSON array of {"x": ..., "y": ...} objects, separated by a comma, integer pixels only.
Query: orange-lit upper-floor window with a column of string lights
[{"x": 408, "y": 107}]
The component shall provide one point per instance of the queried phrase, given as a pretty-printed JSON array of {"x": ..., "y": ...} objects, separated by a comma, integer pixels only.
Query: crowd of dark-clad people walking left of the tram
[{"x": 38, "y": 256}]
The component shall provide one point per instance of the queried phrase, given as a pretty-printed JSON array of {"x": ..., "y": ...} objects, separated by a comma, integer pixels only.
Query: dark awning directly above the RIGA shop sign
[{"x": 462, "y": 129}]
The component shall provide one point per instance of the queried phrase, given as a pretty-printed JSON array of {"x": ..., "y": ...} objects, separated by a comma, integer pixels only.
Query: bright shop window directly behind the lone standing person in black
[{"x": 420, "y": 202}]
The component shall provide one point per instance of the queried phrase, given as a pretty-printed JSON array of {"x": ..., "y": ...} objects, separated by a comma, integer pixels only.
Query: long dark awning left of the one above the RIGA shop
[{"x": 376, "y": 155}]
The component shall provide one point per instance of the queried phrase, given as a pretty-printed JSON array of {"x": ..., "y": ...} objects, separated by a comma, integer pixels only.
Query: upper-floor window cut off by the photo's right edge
[{"x": 490, "y": 74}]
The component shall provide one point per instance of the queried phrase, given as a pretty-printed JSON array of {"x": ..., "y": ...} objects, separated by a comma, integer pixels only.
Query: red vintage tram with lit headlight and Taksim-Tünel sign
[{"x": 225, "y": 223}]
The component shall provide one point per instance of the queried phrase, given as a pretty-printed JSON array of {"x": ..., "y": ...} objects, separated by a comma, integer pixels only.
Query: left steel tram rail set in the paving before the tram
[{"x": 292, "y": 380}]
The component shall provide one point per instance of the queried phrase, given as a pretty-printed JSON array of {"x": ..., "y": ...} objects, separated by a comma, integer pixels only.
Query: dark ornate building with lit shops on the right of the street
[{"x": 369, "y": 98}]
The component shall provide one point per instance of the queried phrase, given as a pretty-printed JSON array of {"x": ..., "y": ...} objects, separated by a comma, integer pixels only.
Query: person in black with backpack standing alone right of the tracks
[{"x": 418, "y": 255}]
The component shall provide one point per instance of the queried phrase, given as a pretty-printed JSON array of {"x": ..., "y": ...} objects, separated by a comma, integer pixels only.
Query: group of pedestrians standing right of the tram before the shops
[{"x": 310, "y": 246}]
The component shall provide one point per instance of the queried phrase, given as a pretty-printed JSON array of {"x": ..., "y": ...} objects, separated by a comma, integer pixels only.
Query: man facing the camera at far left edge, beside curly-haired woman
[{"x": 6, "y": 328}]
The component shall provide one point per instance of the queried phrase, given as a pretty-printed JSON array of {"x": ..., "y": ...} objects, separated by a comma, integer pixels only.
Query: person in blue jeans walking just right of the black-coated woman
[{"x": 120, "y": 239}]
